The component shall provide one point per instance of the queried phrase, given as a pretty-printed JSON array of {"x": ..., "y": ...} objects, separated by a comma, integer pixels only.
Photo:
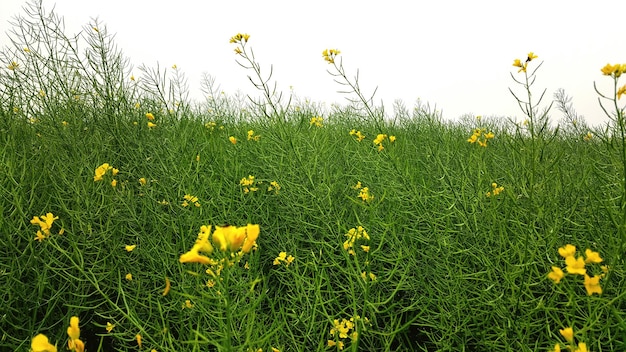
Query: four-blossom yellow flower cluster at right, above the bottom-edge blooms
[{"x": 576, "y": 265}]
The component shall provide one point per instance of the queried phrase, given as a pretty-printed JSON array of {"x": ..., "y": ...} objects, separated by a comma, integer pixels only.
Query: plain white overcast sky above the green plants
[{"x": 457, "y": 54}]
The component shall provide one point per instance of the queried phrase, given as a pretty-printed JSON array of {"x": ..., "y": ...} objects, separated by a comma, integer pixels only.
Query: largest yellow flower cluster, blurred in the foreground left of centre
[{"x": 240, "y": 240}]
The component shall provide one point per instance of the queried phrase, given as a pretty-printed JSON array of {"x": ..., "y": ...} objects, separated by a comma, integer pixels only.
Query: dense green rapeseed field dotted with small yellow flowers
[{"x": 423, "y": 235}]
